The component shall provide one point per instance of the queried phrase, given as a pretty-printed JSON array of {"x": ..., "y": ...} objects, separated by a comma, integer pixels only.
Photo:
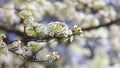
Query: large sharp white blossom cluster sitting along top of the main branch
[{"x": 52, "y": 29}]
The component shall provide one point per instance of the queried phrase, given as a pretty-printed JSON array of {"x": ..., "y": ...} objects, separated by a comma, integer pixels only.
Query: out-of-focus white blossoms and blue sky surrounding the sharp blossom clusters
[{"x": 97, "y": 47}]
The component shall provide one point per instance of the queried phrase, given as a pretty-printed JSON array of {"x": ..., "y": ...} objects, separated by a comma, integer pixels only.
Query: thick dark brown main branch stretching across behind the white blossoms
[{"x": 28, "y": 38}]
